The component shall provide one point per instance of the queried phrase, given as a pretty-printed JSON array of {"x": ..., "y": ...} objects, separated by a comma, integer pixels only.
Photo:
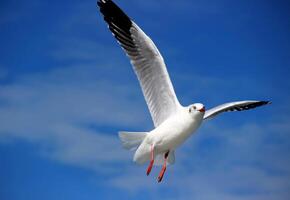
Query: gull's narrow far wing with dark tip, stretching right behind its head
[{"x": 233, "y": 106}]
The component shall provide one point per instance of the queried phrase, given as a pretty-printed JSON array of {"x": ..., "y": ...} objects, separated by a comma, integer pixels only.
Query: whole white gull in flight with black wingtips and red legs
[{"x": 173, "y": 123}]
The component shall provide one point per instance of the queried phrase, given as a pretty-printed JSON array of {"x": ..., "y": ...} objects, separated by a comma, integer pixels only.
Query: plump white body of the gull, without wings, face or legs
[{"x": 169, "y": 135}]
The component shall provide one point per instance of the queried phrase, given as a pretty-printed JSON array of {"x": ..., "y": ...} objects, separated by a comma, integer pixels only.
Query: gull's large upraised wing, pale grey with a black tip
[{"x": 147, "y": 62}]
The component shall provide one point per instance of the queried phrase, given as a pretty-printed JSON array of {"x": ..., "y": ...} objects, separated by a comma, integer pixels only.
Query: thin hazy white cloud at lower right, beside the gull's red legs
[{"x": 237, "y": 163}]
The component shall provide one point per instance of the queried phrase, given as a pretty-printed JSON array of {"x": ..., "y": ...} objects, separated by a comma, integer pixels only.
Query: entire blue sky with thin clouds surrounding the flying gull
[{"x": 66, "y": 88}]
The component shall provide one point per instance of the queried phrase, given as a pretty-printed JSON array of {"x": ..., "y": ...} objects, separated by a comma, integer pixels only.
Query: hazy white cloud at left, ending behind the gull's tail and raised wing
[{"x": 60, "y": 109}]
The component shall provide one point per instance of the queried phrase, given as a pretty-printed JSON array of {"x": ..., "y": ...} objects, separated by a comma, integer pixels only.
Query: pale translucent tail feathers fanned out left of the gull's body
[{"x": 131, "y": 140}]
